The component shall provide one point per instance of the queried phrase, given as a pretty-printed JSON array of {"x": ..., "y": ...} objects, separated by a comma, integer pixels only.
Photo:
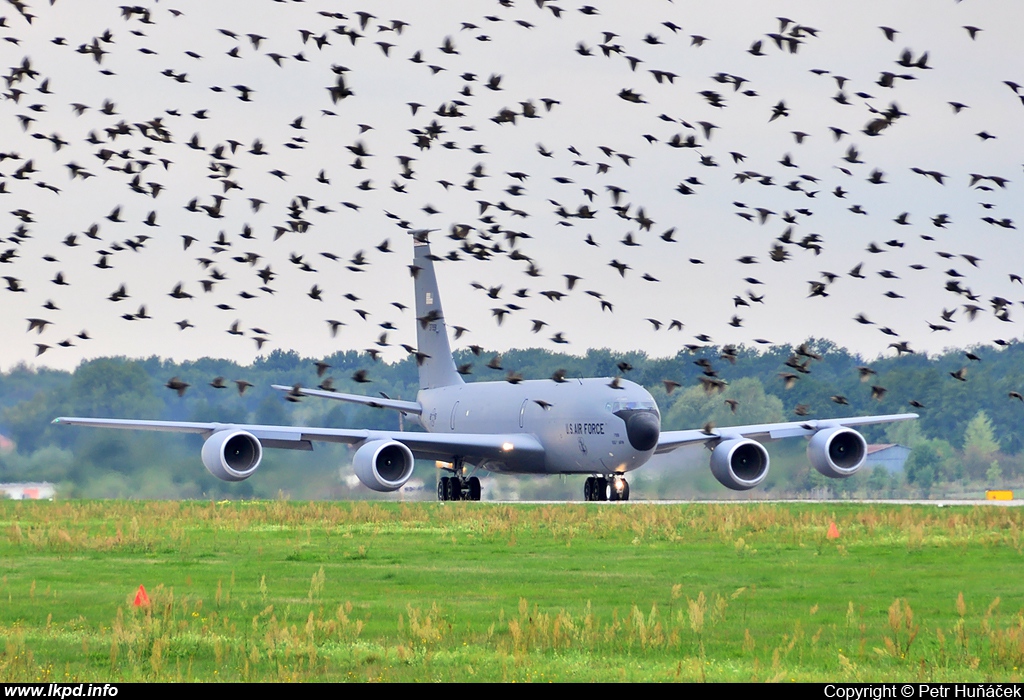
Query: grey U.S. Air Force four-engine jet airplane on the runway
[{"x": 604, "y": 428}]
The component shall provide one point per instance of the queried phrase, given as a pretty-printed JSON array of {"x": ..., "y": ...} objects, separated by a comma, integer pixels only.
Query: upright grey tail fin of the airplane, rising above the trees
[{"x": 438, "y": 369}]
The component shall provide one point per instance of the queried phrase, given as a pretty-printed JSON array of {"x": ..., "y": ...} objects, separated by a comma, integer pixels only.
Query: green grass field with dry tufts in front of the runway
[{"x": 269, "y": 591}]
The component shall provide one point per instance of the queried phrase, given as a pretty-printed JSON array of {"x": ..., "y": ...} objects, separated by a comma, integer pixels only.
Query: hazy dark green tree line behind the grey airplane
[{"x": 967, "y": 436}]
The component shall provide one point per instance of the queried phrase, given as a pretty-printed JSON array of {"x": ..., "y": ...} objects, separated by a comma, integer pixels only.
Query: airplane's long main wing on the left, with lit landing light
[{"x": 444, "y": 447}]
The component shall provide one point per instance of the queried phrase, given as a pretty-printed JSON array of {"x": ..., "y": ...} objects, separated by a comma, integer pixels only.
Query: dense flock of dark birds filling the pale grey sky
[{"x": 251, "y": 177}]
